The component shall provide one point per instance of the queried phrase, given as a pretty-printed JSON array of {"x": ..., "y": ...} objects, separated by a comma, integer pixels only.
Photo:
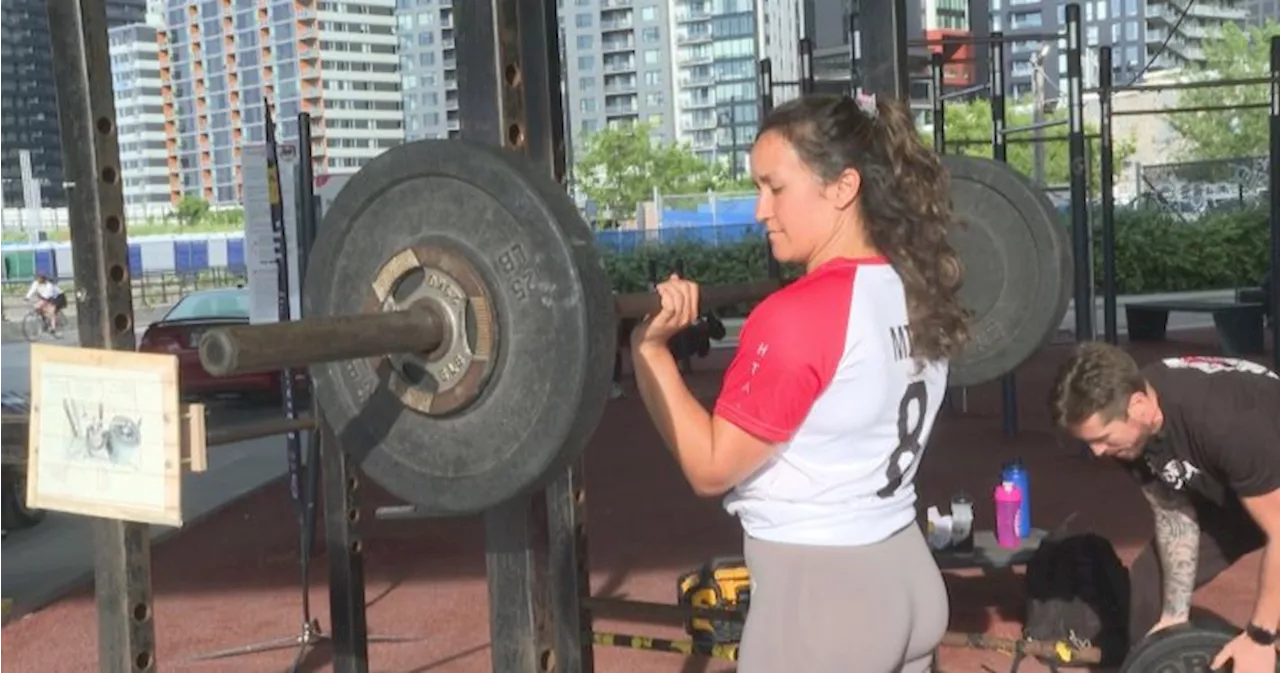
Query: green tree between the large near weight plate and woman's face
[{"x": 621, "y": 168}]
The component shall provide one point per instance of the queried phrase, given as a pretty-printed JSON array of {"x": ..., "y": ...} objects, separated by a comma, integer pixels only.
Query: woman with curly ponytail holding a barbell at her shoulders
[{"x": 830, "y": 401}]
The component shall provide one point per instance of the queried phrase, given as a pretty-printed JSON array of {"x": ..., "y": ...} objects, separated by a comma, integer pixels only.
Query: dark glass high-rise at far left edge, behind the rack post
[{"x": 29, "y": 95}]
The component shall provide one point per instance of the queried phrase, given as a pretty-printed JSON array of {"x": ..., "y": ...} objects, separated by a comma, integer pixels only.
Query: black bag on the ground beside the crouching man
[{"x": 1078, "y": 596}]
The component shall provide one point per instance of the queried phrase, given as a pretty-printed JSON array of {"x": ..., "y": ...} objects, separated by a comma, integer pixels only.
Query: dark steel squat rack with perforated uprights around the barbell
[{"x": 536, "y": 546}]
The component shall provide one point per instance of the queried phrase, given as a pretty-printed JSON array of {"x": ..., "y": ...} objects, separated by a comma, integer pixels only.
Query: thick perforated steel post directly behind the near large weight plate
[{"x": 495, "y": 40}]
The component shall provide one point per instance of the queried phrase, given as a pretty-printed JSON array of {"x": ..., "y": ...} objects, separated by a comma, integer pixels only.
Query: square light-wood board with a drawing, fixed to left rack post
[{"x": 106, "y": 434}]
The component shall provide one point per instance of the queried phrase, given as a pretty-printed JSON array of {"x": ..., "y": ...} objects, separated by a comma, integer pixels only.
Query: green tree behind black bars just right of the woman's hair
[{"x": 968, "y": 132}]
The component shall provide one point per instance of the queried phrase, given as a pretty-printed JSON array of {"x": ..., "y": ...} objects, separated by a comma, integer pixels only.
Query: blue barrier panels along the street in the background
[{"x": 194, "y": 254}]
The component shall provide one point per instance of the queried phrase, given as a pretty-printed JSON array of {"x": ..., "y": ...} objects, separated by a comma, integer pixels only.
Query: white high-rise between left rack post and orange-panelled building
[{"x": 140, "y": 118}]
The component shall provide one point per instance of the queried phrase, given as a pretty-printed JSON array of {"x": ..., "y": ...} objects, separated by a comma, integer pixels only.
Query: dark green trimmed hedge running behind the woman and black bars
[{"x": 1155, "y": 251}]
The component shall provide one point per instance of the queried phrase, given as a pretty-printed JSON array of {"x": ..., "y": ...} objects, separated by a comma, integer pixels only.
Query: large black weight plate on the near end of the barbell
[{"x": 554, "y": 312}]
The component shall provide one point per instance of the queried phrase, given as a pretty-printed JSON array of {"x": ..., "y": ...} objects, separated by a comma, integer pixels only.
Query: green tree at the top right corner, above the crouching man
[{"x": 1236, "y": 54}]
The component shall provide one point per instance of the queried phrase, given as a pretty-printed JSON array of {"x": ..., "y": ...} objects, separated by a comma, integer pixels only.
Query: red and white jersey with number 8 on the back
[{"x": 824, "y": 370}]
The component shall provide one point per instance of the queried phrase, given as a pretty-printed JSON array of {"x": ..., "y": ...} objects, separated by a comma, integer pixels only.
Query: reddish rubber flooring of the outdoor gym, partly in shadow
[{"x": 232, "y": 580}]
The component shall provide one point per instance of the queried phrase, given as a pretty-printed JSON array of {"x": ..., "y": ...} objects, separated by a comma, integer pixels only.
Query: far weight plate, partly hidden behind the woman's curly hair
[{"x": 1017, "y": 267}]
